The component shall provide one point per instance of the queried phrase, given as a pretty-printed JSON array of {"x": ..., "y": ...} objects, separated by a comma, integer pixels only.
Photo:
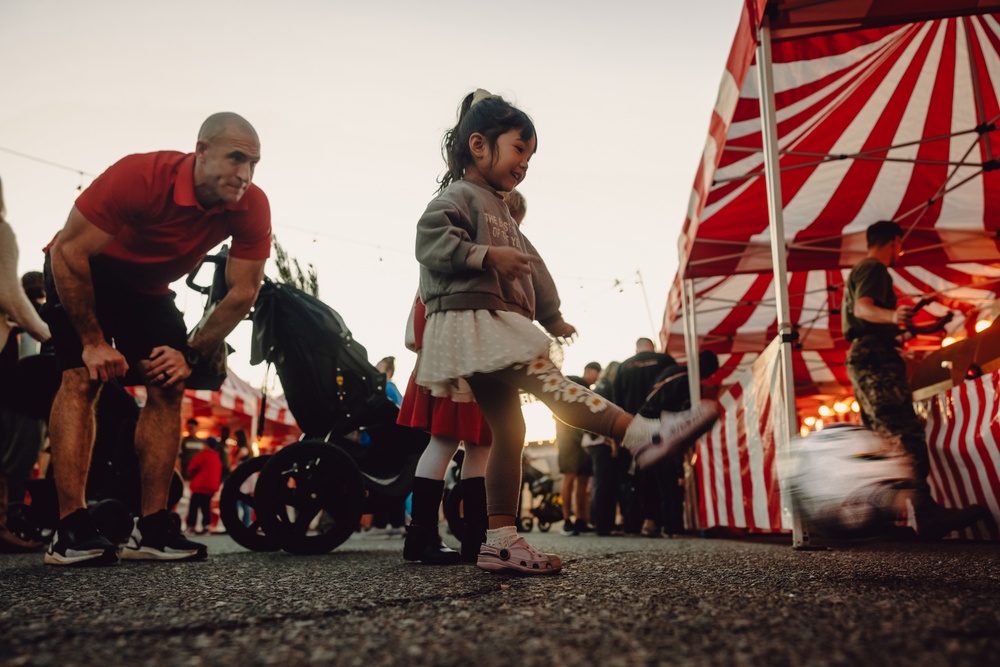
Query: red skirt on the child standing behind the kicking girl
[{"x": 442, "y": 416}]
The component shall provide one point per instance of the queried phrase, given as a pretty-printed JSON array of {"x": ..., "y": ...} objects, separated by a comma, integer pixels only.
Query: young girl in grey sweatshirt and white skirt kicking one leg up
[{"x": 483, "y": 283}]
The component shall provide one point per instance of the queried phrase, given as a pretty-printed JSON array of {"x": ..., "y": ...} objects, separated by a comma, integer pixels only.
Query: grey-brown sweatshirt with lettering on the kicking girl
[{"x": 453, "y": 235}]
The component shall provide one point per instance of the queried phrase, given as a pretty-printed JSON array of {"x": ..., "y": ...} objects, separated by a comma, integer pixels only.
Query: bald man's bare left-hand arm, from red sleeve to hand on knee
[{"x": 70, "y": 256}]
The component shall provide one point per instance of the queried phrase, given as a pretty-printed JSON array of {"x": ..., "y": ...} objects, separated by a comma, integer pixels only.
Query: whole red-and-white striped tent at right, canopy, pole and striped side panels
[{"x": 833, "y": 114}]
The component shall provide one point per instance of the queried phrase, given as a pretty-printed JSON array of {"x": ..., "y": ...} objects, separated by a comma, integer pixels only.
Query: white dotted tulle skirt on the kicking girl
[{"x": 459, "y": 343}]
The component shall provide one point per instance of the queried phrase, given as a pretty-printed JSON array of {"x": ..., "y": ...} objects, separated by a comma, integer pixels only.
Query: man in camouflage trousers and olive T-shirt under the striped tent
[{"x": 871, "y": 322}]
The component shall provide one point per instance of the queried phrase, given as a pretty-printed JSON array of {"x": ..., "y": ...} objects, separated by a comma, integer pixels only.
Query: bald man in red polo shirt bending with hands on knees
[{"x": 141, "y": 225}]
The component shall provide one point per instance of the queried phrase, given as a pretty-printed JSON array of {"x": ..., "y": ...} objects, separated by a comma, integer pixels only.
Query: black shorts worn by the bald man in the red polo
[{"x": 133, "y": 322}]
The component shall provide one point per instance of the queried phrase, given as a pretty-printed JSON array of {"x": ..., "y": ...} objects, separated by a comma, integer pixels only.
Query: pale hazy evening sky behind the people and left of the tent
[{"x": 351, "y": 100}]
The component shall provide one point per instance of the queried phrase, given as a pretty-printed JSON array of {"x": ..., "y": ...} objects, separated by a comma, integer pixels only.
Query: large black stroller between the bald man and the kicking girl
[{"x": 309, "y": 497}]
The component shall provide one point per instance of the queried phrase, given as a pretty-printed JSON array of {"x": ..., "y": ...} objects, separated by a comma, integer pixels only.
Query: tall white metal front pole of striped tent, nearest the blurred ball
[{"x": 772, "y": 171}]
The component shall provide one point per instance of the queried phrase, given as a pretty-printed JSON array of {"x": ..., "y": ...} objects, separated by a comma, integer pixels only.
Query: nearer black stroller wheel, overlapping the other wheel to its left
[{"x": 309, "y": 497}]
